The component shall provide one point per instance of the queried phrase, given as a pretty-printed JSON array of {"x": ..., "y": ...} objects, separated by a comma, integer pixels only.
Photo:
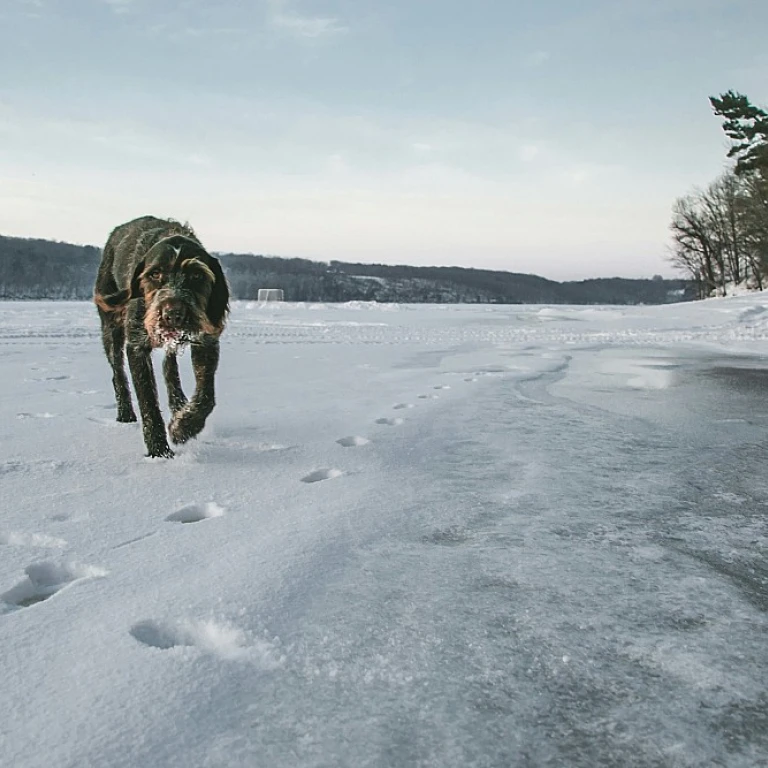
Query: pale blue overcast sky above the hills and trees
[{"x": 549, "y": 136}]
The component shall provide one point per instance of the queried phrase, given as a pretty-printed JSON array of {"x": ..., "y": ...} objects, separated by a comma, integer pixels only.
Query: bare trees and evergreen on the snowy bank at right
[{"x": 720, "y": 233}]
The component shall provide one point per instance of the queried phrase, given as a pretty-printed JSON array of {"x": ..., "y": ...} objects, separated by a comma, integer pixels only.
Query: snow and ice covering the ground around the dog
[{"x": 409, "y": 535}]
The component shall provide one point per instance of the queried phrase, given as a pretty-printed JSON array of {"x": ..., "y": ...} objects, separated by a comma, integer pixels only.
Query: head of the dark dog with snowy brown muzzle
[{"x": 184, "y": 290}]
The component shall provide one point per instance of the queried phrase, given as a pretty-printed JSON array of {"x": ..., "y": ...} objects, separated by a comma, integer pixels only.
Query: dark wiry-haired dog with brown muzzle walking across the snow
[{"x": 158, "y": 287}]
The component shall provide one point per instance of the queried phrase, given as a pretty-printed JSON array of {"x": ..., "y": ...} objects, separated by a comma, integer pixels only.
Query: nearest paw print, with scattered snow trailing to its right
[{"x": 217, "y": 638}]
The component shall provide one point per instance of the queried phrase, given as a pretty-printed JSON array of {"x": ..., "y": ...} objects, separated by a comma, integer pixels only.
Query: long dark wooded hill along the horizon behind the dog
[{"x": 44, "y": 269}]
